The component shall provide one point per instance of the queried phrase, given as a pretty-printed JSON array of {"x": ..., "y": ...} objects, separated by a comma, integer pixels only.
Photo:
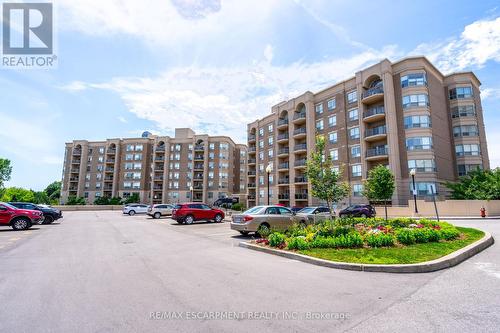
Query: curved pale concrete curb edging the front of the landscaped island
[{"x": 447, "y": 261}]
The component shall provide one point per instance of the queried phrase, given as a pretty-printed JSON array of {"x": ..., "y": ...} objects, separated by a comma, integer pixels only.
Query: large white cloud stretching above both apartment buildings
[{"x": 223, "y": 100}]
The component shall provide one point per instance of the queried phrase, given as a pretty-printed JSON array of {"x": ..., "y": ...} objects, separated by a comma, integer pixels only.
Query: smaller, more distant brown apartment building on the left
[{"x": 160, "y": 169}]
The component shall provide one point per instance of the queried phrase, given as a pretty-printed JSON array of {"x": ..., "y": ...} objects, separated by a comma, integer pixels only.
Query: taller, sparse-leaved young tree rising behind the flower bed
[{"x": 325, "y": 181}]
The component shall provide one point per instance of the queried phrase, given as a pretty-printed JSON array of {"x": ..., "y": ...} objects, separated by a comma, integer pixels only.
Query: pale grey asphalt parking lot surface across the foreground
[{"x": 103, "y": 271}]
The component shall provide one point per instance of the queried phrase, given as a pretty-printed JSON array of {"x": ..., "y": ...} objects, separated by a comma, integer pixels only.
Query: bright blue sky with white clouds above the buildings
[{"x": 129, "y": 66}]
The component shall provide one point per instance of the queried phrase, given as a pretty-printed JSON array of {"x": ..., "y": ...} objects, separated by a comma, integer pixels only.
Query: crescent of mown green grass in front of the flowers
[{"x": 398, "y": 255}]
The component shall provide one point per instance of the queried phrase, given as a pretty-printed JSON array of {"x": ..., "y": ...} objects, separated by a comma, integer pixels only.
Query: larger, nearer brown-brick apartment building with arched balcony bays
[{"x": 405, "y": 115}]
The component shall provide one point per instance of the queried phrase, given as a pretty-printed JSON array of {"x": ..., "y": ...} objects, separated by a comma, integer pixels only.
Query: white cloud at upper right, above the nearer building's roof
[{"x": 478, "y": 43}]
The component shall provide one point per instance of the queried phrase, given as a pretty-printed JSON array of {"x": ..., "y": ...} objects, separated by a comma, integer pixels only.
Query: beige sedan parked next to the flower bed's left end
[{"x": 273, "y": 217}]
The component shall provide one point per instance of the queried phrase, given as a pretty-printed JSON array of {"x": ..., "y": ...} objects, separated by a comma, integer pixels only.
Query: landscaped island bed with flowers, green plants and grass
[{"x": 367, "y": 240}]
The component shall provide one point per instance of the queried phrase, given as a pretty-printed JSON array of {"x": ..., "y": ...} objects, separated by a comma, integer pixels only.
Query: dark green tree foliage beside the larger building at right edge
[{"x": 477, "y": 185}]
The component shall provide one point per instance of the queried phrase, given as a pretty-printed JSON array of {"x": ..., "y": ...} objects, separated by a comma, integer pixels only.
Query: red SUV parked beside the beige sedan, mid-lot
[{"x": 190, "y": 212}]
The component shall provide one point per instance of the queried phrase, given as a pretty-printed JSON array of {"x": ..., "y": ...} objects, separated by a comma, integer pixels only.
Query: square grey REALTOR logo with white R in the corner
[{"x": 28, "y": 35}]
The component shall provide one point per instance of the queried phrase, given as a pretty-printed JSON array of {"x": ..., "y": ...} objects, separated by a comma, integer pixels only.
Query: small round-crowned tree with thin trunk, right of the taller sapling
[{"x": 380, "y": 185}]
